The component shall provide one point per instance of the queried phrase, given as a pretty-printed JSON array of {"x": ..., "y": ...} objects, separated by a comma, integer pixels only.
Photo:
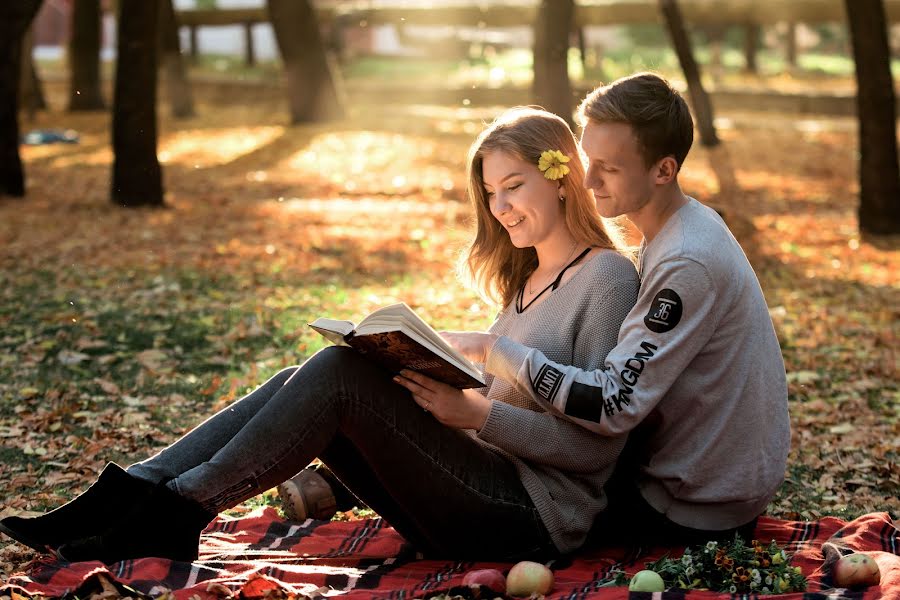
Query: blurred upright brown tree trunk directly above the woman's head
[{"x": 551, "y": 87}]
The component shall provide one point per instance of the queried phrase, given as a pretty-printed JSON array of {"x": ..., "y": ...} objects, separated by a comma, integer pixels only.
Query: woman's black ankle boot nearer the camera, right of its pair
[{"x": 164, "y": 525}]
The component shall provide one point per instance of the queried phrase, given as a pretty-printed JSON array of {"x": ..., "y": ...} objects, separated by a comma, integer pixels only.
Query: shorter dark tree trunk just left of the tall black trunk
[{"x": 85, "y": 88}]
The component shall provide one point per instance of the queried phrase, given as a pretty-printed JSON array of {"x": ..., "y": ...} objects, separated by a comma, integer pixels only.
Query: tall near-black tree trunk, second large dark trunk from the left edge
[{"x": 137, "y": 175}]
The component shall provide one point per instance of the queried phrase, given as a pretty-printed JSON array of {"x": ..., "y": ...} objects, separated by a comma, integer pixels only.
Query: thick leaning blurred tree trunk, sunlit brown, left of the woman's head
[{"x": 312, "y": 85}]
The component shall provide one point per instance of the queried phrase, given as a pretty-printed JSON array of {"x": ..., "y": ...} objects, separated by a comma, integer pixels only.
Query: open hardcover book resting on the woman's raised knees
[{"x": 397, "y": 338}]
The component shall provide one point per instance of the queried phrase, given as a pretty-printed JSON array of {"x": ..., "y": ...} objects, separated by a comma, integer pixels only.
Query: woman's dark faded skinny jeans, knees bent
[{"x": 441, "y": 489}]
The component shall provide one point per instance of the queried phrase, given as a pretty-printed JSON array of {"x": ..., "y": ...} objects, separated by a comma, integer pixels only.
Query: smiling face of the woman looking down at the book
[{"x": 522, "y": 200}]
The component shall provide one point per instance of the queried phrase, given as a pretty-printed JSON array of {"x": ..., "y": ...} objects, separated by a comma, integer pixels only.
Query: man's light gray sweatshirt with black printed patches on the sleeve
[{"x": 698, "y": 362}]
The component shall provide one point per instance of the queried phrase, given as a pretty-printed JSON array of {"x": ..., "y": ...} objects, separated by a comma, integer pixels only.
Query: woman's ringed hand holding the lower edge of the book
[{"x": 461, "y": 409}]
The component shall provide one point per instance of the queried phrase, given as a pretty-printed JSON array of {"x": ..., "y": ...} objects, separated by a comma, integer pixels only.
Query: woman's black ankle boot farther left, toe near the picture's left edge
[{"x": 88, "y": 514}]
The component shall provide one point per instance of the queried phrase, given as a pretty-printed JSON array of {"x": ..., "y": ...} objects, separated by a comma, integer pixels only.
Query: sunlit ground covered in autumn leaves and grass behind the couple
[{"x": 121, "y": 328}]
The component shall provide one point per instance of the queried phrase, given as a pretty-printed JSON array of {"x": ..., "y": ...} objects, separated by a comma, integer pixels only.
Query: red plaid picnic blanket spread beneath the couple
[{"x": 263, "y": 556}]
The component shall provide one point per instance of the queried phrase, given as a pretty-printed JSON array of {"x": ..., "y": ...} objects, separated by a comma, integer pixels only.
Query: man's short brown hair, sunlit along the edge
[{"x": 656, "y": 112}]
